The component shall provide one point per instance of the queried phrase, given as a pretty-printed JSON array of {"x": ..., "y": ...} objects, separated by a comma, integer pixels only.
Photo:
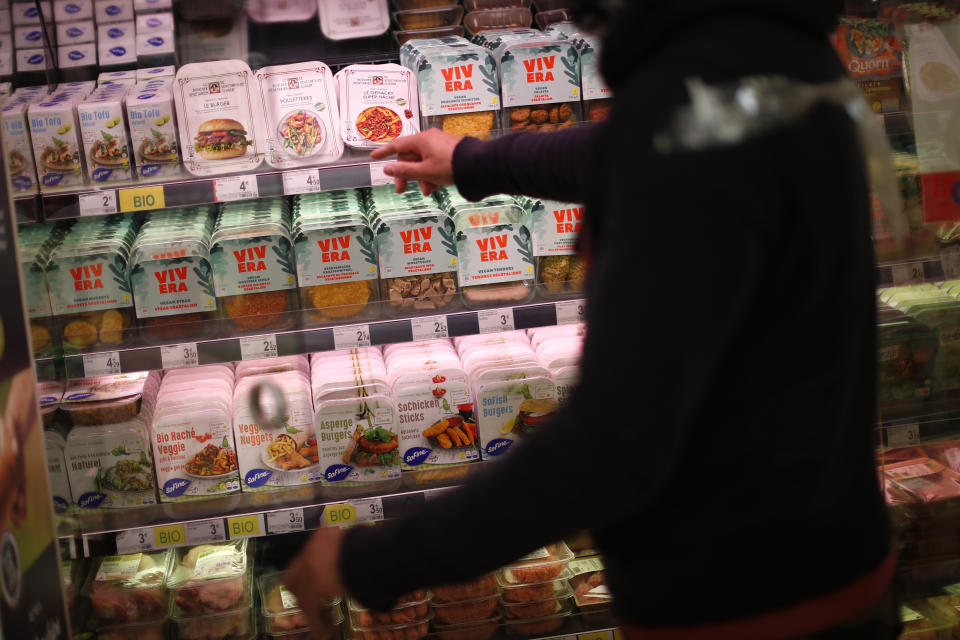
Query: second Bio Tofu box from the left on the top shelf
[{"x": 55, "y": 134}]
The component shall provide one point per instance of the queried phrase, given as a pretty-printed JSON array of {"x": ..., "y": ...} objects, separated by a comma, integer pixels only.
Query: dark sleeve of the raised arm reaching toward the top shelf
[{"x": 539, "y": 165}]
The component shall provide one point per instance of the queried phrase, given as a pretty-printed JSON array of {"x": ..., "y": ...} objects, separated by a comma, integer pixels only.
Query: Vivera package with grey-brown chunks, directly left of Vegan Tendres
[{"x": 418, "y": 261}]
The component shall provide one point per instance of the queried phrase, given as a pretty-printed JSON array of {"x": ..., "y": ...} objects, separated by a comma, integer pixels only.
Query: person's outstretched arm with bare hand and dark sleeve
[{"x": 539, "y": 165}]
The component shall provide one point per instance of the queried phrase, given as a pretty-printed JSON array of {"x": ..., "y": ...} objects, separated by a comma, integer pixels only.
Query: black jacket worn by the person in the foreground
[{"x": 719, "y": 444}]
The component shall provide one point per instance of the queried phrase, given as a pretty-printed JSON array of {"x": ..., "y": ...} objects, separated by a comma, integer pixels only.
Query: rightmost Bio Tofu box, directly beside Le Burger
[{"x": 153, "y": 130}]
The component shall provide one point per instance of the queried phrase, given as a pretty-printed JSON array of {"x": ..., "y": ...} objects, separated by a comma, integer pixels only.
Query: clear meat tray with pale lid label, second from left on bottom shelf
[{"x": 210, "y": 578}]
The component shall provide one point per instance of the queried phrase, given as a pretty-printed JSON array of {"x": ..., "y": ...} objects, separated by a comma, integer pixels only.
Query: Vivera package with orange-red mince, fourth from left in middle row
[{"x": 253, "y": 272}]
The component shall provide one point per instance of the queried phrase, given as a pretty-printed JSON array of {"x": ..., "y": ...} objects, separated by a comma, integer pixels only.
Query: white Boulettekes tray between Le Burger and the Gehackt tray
[{"x": 303, "y": 119}]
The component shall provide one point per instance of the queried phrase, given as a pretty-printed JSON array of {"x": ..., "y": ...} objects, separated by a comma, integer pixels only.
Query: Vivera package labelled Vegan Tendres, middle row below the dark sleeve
[{"x": 494, "y": 255}]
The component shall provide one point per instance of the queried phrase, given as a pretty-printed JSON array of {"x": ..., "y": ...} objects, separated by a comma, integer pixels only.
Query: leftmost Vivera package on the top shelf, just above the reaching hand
[{"x": 459, "y": 90}]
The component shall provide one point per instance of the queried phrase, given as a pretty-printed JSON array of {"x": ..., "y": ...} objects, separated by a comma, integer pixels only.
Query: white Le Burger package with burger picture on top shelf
[{"x": 220, "y": 117}]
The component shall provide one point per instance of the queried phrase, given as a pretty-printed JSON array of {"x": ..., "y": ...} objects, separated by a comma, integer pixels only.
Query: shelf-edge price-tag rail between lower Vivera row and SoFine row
[{"x": 303, "y": 341}]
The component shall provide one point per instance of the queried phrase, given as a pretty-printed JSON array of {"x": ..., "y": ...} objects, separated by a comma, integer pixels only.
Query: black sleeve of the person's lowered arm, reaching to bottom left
[{"x": 620, "y": 437}]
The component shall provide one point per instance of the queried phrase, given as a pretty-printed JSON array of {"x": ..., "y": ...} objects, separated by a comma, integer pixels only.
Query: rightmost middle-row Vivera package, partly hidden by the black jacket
[{"x": 555, "y": 227}]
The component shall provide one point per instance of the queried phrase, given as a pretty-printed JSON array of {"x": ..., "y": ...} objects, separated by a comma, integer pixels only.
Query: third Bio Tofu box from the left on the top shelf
[{"x": 105, "y": 143}]
